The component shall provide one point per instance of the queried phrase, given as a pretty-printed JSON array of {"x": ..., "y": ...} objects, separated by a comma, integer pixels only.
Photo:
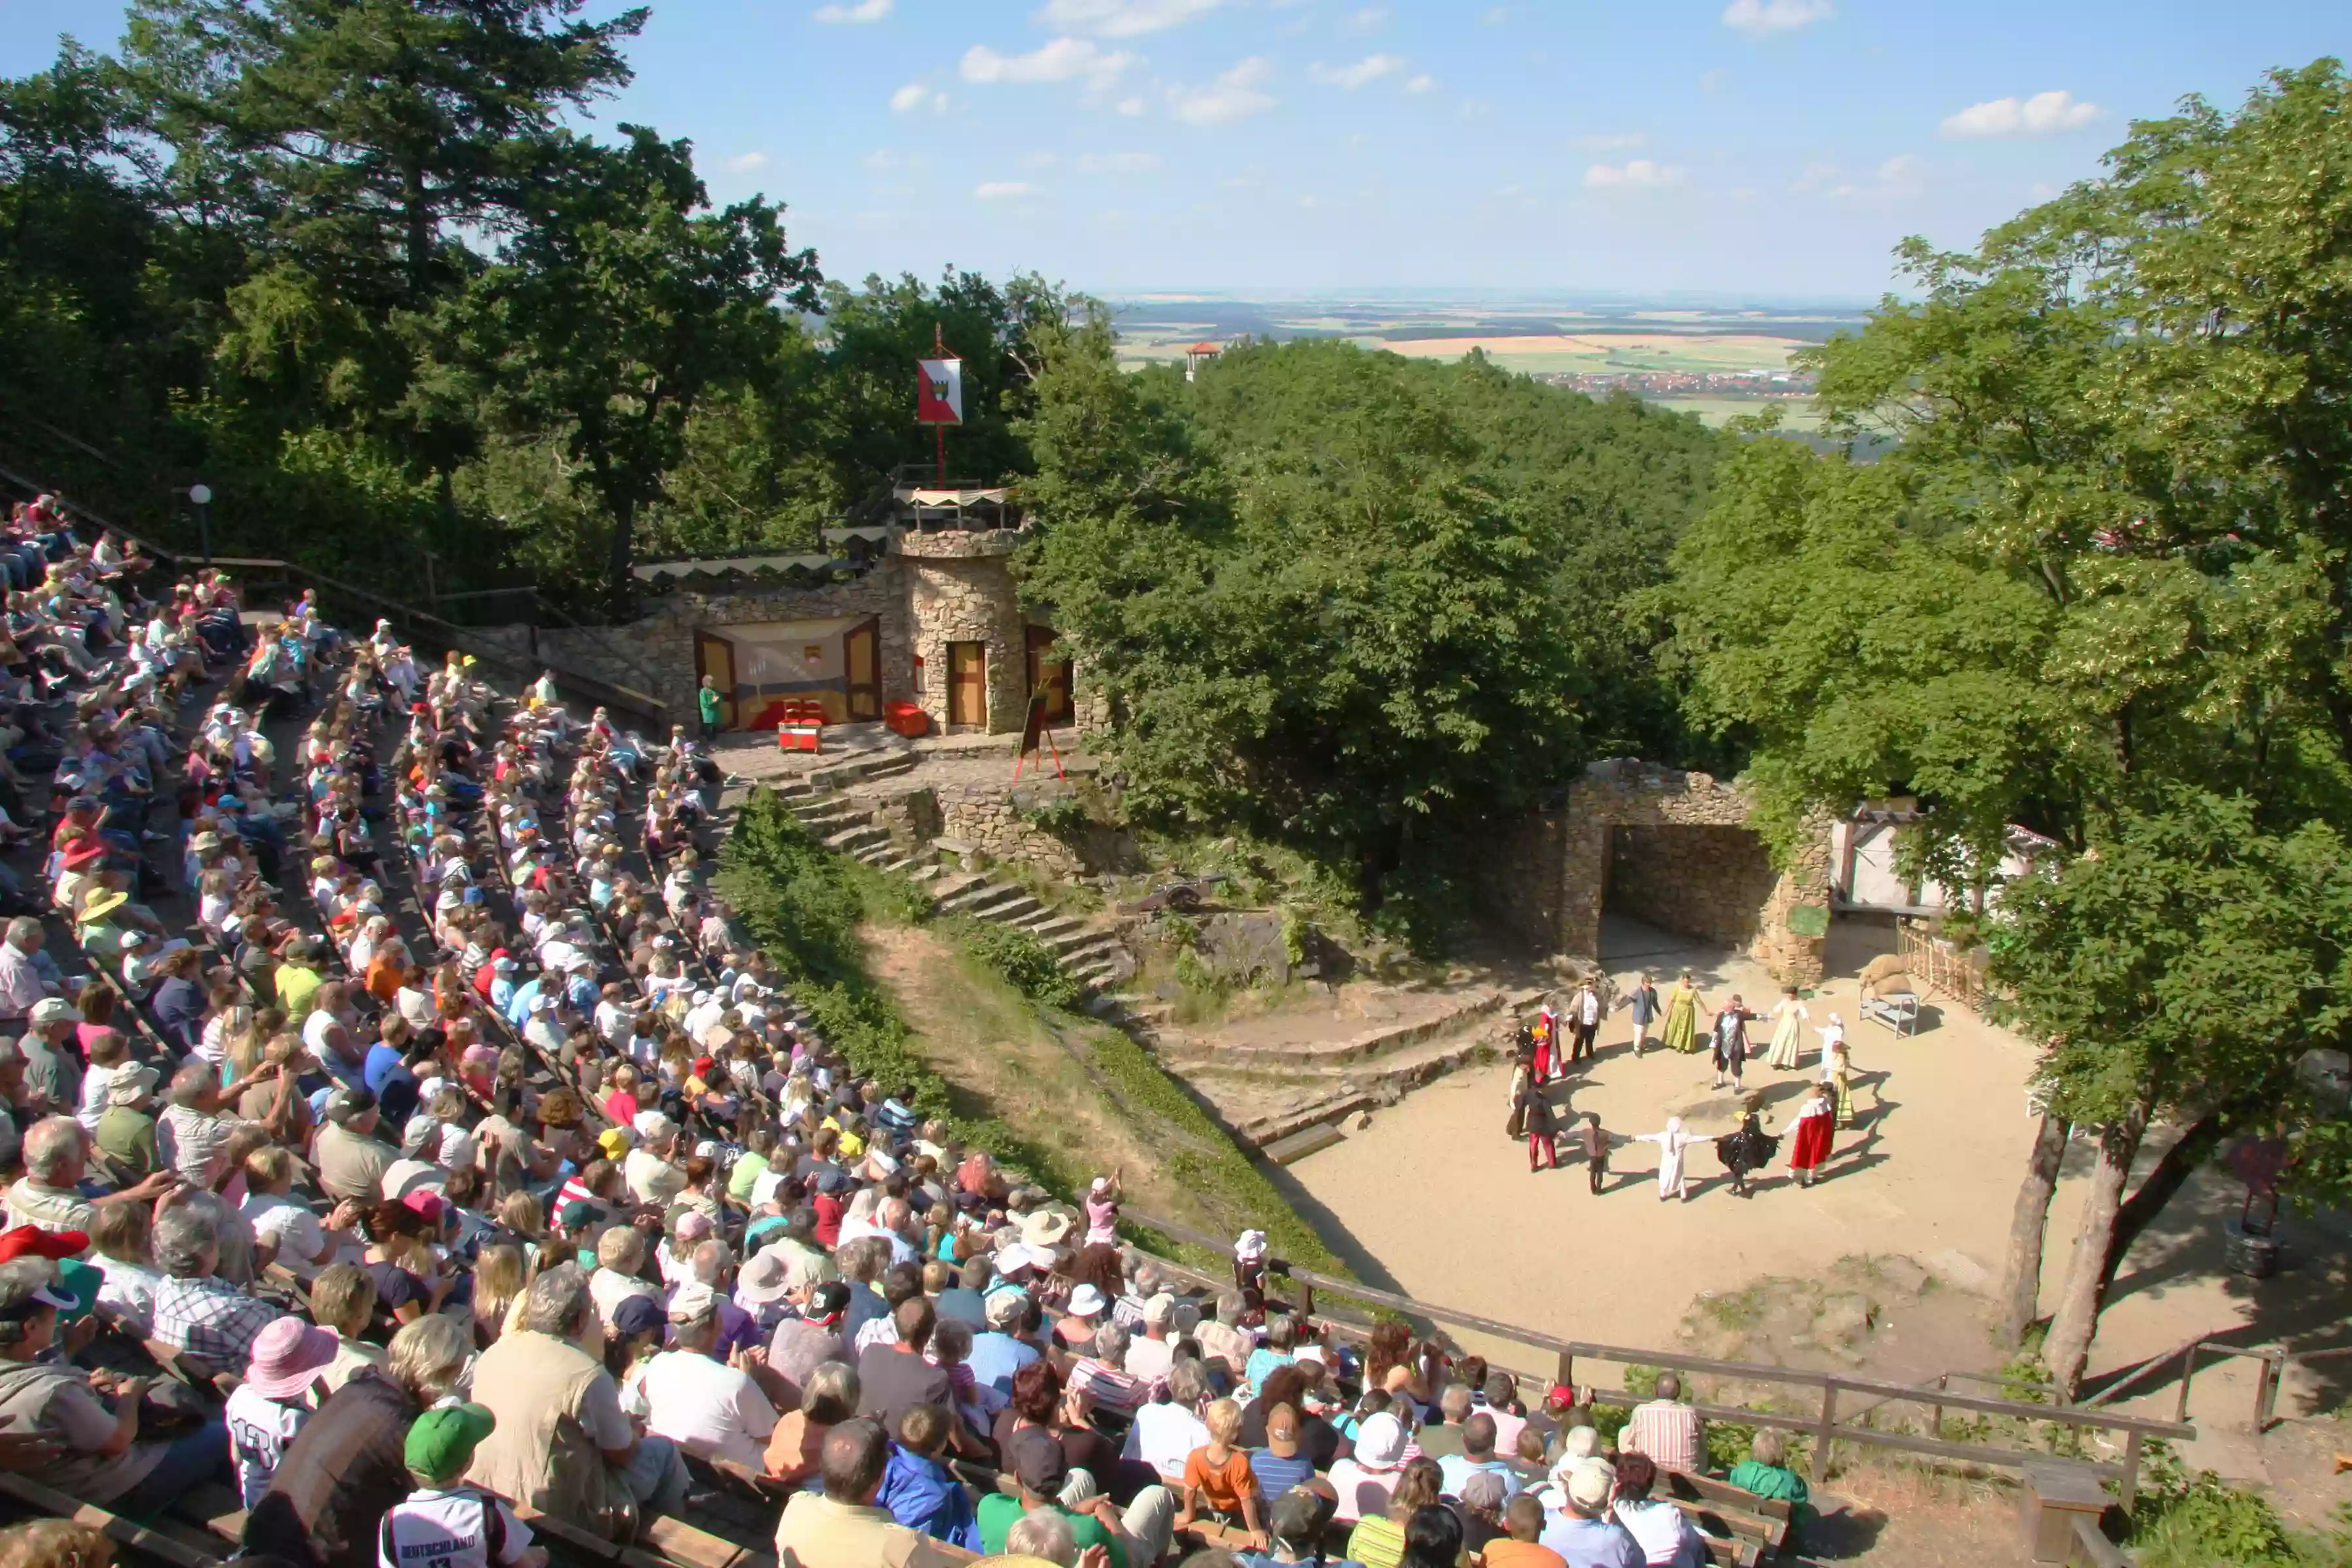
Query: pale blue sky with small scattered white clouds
[{"x": 1760, "y": 149}]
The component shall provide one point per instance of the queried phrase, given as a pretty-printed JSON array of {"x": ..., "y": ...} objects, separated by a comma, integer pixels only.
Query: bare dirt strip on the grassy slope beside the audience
[{"x": 982, "y": 1038}]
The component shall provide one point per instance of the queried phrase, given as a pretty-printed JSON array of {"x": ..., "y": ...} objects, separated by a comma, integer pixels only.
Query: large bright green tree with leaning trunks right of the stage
[{"x": 2102, "y": 577}]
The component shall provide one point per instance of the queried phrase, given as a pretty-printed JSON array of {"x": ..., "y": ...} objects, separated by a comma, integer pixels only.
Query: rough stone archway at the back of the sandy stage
[{"x": 1681, "y": 850}]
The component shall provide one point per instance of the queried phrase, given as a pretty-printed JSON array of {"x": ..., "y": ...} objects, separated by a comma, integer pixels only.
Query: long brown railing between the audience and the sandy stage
[{"x": 1829, "y": 1393}]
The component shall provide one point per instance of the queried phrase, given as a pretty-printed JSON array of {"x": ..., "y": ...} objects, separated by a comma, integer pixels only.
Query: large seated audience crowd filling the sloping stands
[{"x": 403, "y": 1134}]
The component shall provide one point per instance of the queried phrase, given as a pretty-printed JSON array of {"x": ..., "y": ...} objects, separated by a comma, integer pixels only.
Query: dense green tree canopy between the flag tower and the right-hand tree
[{"x": 1351, "y": 601}]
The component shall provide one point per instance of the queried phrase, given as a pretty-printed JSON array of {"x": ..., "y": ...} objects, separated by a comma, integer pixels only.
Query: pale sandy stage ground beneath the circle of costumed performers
[{"x": 1438, "y": 1202}]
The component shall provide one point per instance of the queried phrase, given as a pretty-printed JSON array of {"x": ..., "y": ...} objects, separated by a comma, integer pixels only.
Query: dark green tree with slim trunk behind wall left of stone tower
[{"x": 617, "y": 309}]
